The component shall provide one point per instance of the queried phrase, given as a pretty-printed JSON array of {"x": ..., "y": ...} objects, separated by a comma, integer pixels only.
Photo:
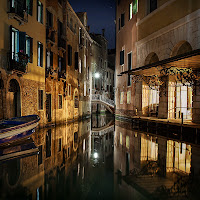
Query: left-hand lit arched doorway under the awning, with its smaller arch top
[{"x": 150, "y": 96}]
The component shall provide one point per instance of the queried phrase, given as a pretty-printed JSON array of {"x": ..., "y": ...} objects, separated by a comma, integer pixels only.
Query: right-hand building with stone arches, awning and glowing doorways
[{"x": 165, "y": 67}]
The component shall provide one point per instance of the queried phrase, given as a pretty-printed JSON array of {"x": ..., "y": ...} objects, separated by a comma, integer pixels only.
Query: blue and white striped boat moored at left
[{"x": 17, "y": 128}]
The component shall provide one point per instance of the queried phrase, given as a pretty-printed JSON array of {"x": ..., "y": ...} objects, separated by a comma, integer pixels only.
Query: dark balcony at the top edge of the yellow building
[{"x": 18, "y": 11}]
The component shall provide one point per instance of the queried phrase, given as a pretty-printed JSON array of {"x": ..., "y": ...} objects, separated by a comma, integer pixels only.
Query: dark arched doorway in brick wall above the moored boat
[{"x": 14, "y": 98}]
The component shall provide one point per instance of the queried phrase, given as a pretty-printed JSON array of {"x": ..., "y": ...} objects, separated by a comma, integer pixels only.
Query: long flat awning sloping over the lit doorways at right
[{"x": 188, "y": 60}]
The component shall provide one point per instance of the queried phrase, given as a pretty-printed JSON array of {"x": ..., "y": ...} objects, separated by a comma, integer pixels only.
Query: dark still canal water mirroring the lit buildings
[{"x": 100, "y": 159}]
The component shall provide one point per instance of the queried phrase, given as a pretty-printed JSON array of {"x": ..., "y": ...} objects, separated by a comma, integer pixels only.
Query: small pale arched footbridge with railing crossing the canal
[{"x": 101, "y": 99}]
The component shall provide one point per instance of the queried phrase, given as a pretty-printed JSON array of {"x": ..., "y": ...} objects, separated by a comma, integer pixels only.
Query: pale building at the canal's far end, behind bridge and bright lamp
[{"x": 102, "y": 76}]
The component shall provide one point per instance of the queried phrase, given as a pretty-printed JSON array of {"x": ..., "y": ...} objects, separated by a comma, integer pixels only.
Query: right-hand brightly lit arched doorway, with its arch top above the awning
[{"x": 180, "y": 96}]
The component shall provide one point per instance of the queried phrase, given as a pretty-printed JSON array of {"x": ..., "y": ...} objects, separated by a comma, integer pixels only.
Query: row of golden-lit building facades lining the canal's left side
[{"x": 45, "y": 72}]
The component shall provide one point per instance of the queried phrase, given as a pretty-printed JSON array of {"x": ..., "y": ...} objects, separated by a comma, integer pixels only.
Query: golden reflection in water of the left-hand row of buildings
[{"x": 45, "y": 176}]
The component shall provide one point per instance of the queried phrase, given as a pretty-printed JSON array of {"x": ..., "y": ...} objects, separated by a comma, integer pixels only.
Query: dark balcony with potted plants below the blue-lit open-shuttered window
[{"x": 17, "y": 62}]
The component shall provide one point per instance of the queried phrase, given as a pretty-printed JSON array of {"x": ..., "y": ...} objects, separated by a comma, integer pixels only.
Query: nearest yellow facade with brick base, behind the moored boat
[{"x": 22, "y": 69}]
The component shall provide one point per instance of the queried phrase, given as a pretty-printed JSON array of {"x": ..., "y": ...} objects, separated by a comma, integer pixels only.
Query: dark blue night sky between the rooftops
[{"x": 101, "y": 14}]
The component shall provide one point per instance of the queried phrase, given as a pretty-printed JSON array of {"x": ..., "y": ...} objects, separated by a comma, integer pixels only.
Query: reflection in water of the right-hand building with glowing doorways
[{"x": 148, "y": 158}]
